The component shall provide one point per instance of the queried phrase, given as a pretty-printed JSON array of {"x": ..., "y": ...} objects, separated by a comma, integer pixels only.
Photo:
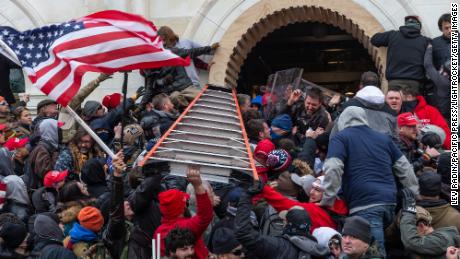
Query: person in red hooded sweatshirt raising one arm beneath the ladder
[{"x": 172, "y": 207}]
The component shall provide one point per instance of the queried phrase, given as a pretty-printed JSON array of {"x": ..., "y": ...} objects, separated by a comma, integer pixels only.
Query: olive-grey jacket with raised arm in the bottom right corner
[{"x": 433, "y": 245}]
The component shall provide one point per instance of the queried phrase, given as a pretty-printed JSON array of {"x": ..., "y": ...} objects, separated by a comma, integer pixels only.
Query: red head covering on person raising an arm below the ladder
[{"x": 172, "y": 203}]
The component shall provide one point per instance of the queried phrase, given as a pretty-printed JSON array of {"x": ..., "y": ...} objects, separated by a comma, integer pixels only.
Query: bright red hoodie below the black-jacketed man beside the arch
[{"x": 430, "y": 115}]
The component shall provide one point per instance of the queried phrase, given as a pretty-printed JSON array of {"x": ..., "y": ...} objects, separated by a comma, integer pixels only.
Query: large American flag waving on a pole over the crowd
[{"x": 55, "y": 57}]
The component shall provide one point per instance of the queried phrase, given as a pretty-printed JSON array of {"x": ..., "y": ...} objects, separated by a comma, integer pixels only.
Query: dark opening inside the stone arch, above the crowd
[{"x": 329, "y": 56}]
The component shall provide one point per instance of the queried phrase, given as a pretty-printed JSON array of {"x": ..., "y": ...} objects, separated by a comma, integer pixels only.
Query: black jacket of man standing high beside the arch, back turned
[{"x": 406, "y": 48}]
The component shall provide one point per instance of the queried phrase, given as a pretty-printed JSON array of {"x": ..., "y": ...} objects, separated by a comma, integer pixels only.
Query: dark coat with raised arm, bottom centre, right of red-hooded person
[{"x": 268, "y": 246}]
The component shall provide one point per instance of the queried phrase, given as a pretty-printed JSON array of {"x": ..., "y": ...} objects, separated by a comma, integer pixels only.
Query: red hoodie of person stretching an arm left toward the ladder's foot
[{"x": 319, "y": 216}]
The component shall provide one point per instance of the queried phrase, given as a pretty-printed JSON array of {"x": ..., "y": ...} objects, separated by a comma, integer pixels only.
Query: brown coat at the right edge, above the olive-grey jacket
[{"x": 442, "y": 213}]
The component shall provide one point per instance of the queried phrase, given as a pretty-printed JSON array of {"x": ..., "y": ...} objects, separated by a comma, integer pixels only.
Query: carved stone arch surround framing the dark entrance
[{"x": 266, "y": 16}]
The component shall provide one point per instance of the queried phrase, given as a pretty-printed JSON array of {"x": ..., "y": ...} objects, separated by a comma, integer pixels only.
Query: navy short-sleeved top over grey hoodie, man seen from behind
[{"x": 368, "y": 157}]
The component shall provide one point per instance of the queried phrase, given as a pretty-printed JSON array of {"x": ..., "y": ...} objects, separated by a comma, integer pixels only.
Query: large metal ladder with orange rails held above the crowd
[{"x": 209, "y": 133}]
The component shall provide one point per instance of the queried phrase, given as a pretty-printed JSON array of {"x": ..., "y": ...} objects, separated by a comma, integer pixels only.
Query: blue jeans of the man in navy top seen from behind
[{"x": 380, "y": 217}]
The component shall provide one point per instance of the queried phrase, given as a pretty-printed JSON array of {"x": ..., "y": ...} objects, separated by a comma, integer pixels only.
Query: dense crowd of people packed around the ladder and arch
[{"x": 366, "y": 177}]
